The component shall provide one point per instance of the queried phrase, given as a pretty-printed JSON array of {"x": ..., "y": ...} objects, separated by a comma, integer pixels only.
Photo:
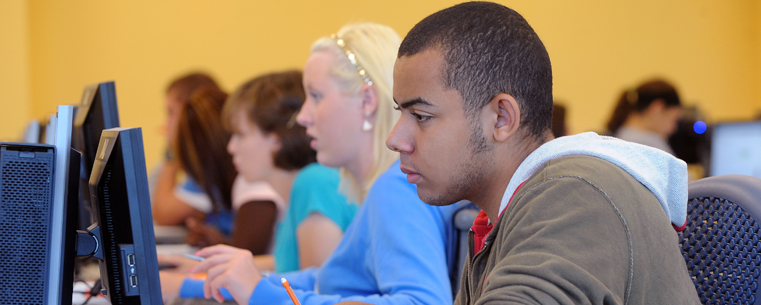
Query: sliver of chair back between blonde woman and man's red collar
[{"x": 463, "y": 220}]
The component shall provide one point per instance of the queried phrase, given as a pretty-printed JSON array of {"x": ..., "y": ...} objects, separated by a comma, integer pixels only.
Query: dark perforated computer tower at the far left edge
[{"x": 26, "y": 197}]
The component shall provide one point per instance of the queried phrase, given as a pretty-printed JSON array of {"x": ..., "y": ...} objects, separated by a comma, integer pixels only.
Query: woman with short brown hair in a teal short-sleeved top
[{"x": 268, "y": 145}]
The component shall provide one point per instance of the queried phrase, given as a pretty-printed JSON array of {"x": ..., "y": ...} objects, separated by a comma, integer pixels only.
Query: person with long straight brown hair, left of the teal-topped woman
[{"x": 201, "y": 150}]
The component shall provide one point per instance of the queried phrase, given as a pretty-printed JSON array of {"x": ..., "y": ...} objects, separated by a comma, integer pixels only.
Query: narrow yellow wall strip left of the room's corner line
[{"x": 14, "y": 69}]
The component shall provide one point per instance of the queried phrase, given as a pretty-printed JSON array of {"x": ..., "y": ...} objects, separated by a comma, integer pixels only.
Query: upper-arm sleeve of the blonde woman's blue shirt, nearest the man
[{"x": 408, "y": 245}]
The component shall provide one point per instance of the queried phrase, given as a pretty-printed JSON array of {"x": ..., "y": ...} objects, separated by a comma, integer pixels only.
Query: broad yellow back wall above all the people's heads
[{"x": 709, "y": 49}]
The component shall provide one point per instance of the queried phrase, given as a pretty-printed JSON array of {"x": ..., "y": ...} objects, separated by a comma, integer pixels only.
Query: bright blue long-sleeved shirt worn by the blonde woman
[{"x": 395, "y": 252}]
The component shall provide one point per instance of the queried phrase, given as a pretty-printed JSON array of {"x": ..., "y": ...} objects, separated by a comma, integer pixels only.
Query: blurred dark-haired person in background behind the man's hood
[{"x": 647, "y": 114}]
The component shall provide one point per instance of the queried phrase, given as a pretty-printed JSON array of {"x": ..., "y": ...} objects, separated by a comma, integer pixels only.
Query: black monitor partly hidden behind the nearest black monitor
[{"x": 96, "y": 112}]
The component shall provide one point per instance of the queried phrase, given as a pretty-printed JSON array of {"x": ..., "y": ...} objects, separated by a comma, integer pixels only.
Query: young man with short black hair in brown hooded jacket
[{"x": 581, "y": 219}]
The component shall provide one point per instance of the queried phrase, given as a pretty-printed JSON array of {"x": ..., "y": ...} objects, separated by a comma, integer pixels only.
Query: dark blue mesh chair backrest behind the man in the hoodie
[{"x": 720, "y": 242}]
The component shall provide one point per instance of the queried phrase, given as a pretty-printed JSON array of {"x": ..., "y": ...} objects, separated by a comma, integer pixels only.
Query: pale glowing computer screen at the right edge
[{"x": 736, "y": 149}]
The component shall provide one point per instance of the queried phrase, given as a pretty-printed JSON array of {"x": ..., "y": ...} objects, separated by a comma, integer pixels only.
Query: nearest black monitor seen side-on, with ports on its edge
[{"x": 122, "y": 210}]
